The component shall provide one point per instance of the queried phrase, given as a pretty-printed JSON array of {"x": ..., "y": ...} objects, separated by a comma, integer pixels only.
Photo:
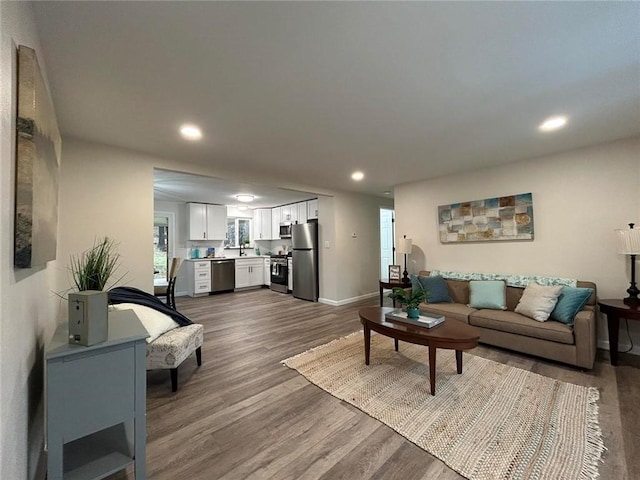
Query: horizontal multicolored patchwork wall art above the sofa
[{"x": 493, "y": 219}]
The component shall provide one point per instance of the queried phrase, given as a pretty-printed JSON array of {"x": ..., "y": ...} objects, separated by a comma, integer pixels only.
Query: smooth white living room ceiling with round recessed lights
[{"x": 303, "y": 93}]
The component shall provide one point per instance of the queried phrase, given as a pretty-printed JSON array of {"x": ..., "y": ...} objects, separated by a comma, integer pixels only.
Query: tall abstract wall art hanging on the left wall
[{"x": 38, "y": 148}]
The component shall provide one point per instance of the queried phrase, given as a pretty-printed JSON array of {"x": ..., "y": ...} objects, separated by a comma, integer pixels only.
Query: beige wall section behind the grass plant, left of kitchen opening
[{"x": 105, "y": 191}]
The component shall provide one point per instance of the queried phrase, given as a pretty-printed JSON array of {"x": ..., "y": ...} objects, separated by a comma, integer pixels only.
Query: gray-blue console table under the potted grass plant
[{"x": 96, "y": 402}]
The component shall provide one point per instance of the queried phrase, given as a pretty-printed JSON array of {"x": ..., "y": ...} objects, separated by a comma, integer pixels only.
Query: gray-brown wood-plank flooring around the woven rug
[{"x": 243, "y": 415}]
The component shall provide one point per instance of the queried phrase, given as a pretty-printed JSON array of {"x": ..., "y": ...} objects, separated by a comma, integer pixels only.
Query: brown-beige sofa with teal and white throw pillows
[{"x": 573, "y": 344}]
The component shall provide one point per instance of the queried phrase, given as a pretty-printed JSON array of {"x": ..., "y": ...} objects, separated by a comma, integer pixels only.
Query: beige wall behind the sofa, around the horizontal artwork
[{"x": 579, "y": 198}]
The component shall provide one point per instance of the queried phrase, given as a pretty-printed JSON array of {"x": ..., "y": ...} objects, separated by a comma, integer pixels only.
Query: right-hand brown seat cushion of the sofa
[{"x": 512, "y": 322}]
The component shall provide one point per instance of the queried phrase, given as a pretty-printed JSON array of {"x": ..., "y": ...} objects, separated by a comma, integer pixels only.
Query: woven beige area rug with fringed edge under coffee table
[{"x": 492, "y": 422}]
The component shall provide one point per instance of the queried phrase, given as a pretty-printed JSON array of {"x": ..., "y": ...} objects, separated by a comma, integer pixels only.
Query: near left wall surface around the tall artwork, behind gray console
[{"x": 28, "y": 308}]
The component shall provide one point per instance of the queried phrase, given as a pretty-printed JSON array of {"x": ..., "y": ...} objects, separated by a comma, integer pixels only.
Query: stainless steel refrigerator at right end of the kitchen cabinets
[{"x": 304, "y": 242}]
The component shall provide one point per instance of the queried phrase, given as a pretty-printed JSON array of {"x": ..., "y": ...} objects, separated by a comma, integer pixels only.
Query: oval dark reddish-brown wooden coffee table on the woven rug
[{"x": 451, "y": 334}]
